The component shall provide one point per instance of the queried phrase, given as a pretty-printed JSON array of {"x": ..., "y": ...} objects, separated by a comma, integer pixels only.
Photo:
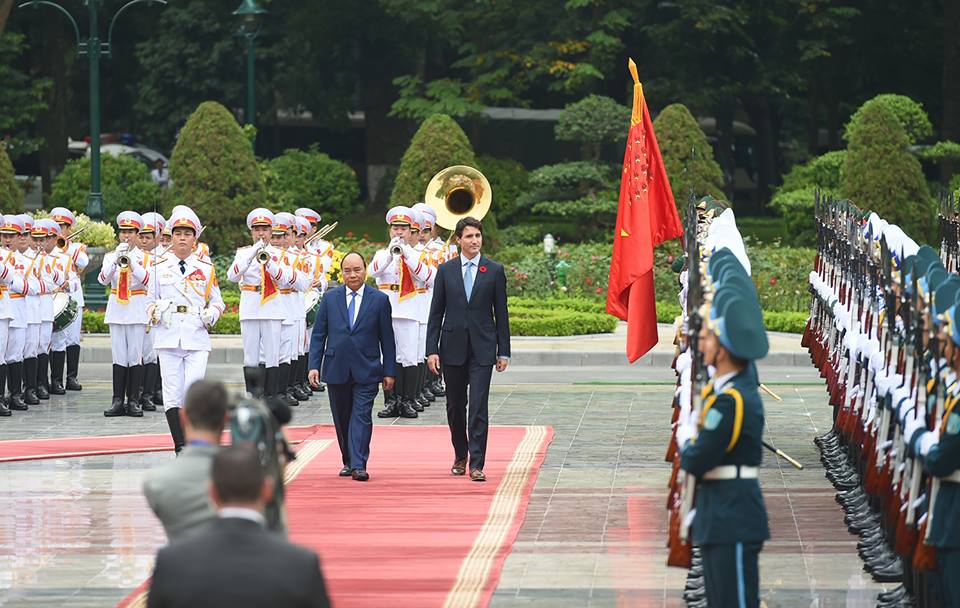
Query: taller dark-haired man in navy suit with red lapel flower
[{"x": 468, "y": 331}]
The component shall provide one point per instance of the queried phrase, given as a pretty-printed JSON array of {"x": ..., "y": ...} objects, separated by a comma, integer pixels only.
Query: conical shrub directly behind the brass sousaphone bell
[{"x": 438, "y": 143}]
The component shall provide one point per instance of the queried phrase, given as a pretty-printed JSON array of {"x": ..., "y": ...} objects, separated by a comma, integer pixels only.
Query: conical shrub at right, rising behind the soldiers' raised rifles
[{"x": 881, "y": 174}]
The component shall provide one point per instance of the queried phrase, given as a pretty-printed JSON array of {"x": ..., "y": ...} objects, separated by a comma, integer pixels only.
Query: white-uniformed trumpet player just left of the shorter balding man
[{"x": 260, "y": 275}]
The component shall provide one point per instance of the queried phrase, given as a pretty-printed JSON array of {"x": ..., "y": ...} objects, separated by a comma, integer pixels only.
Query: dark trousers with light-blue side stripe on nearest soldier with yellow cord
[{"x": 731, "y": 574}]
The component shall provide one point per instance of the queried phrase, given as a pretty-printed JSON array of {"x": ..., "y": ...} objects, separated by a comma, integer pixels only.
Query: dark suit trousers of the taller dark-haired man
[{"x": 468, "y": 390}]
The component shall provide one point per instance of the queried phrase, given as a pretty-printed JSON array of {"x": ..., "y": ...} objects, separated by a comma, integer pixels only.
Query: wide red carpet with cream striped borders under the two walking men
[{"x": 413, "y": 535}]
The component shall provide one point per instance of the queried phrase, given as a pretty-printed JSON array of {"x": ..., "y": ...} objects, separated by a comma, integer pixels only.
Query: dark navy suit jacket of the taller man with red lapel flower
[{"x": 483, "y": 322}]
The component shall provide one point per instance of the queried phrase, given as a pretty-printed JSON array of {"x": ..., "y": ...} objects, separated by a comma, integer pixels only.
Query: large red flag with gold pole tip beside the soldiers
[{"x": 646, "y": 217}]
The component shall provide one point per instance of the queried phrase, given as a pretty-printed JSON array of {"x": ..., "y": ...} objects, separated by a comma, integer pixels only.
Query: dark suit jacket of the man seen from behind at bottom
[{"x": 236, "y": 563}]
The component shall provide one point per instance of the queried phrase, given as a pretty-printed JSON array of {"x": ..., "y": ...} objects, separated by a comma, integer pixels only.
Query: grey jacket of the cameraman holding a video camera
[{"x": 179, "y": 492}]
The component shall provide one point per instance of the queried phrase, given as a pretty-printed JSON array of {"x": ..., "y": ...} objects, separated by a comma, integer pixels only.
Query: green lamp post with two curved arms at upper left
[{"x": 94, "y": 49}]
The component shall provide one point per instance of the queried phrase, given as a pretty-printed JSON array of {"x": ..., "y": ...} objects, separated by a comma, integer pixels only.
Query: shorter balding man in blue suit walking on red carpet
[{"x": 353, "y": 330}]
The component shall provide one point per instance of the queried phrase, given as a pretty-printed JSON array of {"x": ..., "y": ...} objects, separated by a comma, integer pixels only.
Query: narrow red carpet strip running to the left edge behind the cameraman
[{"x": 71, "y": 447}]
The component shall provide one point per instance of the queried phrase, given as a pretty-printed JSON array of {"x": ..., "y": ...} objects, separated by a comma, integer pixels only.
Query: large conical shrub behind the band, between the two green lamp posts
[{"x": 215, "y": 173}]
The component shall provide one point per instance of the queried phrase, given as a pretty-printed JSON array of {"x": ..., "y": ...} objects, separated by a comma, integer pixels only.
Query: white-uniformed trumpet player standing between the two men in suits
[{"x": 397, "y": 270}]
